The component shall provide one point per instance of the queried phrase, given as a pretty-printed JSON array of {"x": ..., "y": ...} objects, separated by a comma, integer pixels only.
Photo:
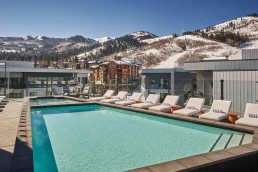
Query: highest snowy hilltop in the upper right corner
[{"x": 243, "y": 26}]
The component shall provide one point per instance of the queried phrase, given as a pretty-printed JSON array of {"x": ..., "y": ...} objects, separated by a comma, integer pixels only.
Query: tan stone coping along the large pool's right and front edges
[{"x": 197, "y": 161}]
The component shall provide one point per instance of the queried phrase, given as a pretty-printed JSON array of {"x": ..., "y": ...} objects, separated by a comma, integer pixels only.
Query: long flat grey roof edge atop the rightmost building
[{"x": 247, "y": 64}]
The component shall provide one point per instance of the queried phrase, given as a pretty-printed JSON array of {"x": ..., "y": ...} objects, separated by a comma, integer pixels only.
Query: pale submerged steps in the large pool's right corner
[{"x": 231, "y": 140}]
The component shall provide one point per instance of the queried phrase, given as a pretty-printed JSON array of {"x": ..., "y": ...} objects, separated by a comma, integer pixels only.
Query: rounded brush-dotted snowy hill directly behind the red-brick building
[{"x": 170, "y": 52}]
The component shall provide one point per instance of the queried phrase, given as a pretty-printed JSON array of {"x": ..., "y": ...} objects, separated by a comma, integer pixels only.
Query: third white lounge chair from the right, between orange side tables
[{"x": 193, "y": 106}]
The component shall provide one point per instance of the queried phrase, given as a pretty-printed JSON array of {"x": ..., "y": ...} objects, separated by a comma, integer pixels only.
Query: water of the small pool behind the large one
[{"x": 51, "y": 101}]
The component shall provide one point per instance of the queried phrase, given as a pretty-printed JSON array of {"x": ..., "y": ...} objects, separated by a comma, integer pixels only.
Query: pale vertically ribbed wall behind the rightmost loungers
[{"x": 240, "y": 87}]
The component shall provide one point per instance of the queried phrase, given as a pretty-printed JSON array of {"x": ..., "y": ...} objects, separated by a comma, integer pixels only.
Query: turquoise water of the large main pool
[{"x": 98, "y": 138}]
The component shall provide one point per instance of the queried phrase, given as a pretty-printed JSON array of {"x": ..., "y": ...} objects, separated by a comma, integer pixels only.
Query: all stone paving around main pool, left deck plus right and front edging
[{"x": 16, "y": 143}]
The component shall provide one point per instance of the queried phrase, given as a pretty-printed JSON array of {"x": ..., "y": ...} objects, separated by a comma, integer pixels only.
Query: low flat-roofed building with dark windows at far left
[{"x": 19, "y": 79}]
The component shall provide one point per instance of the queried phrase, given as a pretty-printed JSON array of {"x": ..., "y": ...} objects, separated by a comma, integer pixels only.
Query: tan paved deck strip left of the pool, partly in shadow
[{"x": 13, "y": 142}]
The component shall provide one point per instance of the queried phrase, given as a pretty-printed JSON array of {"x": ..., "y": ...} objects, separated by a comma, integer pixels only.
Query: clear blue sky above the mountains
[{"x": 99, "y": 18}]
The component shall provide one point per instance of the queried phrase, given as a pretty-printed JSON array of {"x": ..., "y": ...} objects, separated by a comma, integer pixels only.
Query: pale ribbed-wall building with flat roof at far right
[{"x": 234, "y": 80}]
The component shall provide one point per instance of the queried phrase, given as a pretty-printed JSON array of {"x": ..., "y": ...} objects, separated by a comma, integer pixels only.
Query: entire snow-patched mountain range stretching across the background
[{"x": 214, "y": 42}]
